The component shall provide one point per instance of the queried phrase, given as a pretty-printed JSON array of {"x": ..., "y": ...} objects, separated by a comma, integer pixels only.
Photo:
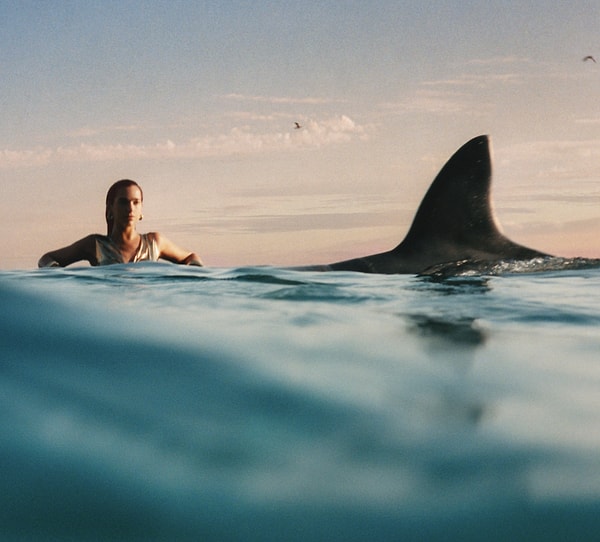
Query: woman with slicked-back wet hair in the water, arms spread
[{"x": 122, "y": 244}]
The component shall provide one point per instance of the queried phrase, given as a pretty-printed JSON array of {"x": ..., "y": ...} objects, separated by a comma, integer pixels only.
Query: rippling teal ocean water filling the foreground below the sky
[{"x": 154, "y": 402}]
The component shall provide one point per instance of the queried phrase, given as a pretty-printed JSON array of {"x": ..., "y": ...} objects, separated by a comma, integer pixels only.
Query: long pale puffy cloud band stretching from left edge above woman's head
[{"x": 238, "y": 141}]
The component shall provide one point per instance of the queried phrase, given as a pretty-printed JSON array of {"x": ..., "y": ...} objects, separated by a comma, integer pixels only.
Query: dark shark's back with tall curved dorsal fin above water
[{"x": 455, "y": 221}]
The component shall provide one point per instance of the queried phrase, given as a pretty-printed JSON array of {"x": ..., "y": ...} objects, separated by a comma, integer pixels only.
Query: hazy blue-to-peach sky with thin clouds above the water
[{"x": 197, "y": 101}]
